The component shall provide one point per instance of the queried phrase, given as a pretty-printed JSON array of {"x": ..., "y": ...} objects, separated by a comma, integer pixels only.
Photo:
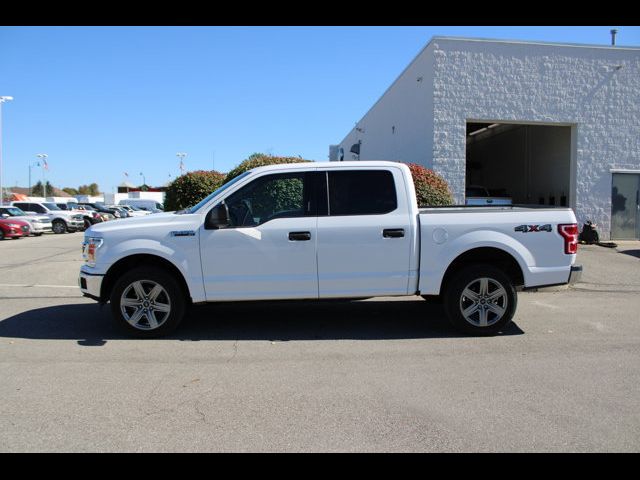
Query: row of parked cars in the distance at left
[{"x": 22, "y": 218}]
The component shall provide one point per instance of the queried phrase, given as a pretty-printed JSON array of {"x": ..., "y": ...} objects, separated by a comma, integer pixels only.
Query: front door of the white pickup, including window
[{"x": 269, "y": 250}]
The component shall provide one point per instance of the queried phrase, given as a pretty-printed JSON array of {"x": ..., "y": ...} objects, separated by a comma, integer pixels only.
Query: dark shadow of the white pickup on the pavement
[{"x": 92, "y": 325}]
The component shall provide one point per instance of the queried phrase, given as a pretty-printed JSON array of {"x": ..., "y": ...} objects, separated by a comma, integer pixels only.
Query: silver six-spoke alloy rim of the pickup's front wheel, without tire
[{"x": 145, "y": 304}]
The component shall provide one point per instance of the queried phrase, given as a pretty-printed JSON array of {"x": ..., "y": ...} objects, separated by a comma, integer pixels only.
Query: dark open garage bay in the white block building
[{"x": 528, "y": 164}]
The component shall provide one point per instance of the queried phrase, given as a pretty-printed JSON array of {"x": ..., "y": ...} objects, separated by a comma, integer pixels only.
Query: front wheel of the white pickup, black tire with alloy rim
[{"x": 172, "y": 296}]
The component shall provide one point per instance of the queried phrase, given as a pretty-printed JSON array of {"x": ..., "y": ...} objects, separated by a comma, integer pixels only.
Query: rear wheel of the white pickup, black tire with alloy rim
[{"x": 476, "y": 312}]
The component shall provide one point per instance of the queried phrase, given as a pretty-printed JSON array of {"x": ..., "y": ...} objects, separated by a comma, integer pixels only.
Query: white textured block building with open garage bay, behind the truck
[{"x": 542, "y": 123}]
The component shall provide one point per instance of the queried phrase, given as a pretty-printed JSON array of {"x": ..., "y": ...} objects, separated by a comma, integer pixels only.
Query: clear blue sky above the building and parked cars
[{"x": 101, "y": 101}]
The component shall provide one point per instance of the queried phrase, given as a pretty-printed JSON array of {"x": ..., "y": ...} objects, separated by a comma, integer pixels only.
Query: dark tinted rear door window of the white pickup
[{"x": 366, "y": 192}]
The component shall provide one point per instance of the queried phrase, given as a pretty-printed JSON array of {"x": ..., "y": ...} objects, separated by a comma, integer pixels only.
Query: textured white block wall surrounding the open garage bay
[{"x": 546, "y": 84}]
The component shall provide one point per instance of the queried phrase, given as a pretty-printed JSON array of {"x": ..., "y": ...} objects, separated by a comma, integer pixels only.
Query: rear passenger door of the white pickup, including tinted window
[{"x": 364, "y": 234}]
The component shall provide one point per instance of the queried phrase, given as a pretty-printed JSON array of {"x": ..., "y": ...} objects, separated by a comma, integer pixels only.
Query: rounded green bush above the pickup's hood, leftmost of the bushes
[{"x": 188, "y": 189}]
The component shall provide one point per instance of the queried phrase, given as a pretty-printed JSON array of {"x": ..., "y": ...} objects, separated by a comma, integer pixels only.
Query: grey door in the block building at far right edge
[{"x": 625, "y": 206}]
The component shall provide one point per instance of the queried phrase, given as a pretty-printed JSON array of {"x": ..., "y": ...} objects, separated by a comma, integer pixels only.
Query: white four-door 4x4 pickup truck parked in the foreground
[{"x": 326, "y": 230}]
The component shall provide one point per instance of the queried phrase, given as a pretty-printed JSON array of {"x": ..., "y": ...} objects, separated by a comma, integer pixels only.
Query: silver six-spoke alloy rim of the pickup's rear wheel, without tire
[{"x": 483, "y": 302}]
